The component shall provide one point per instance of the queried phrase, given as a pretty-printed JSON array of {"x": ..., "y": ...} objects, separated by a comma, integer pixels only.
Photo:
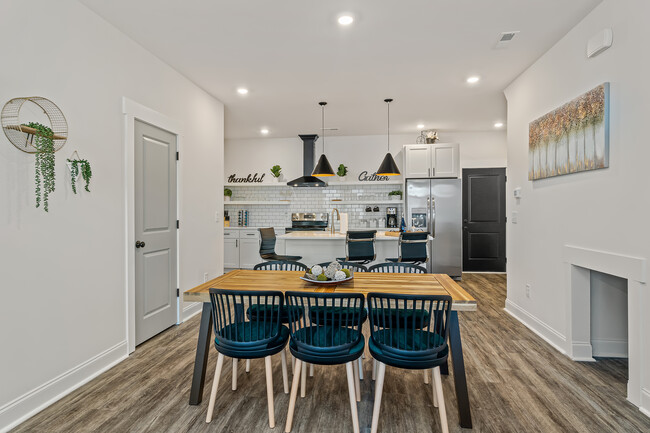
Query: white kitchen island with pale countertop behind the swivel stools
[{"x": 318, "y": 246}]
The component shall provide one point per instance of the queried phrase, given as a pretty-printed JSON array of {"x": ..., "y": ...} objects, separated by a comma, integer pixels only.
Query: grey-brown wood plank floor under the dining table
[{"x": 517, "y": 383}]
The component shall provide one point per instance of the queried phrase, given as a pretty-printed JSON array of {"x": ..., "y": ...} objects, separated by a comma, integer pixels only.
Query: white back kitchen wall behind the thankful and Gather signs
[{"x": 358, "y": 153}]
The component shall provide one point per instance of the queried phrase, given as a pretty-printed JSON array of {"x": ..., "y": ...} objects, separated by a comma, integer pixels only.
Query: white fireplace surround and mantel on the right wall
[{"x": 580, "y": 261}]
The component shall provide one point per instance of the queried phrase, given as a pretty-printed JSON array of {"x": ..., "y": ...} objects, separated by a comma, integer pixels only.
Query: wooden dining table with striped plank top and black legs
[{"x": 363, "y": 282}]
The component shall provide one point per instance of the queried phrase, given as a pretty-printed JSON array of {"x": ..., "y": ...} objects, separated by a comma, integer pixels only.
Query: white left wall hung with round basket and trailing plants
[{"x": 63, "y": 272}]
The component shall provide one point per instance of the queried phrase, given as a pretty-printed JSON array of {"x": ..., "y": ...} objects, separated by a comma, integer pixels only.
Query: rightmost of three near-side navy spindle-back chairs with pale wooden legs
[{"x": 400, "y": 344}]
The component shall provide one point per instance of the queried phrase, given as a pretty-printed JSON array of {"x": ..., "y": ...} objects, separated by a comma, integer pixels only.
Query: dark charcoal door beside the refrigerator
[{"x": 484, "y": 219}]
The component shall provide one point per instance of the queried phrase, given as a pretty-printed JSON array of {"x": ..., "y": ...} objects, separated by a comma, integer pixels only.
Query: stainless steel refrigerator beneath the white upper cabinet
[{"x": 435, "y": 205}]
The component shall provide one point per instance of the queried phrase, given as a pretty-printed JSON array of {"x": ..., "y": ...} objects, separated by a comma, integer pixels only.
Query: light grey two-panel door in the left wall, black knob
[{"x": 155, "y": 231}]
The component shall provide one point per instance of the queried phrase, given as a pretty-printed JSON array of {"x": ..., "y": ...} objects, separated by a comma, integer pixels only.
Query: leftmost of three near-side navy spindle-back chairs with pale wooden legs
[{"x": 237, "y": 338}]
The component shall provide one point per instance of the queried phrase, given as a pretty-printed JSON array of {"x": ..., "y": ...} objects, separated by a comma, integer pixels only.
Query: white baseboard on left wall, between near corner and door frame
[{"x": 34, "y": 401}]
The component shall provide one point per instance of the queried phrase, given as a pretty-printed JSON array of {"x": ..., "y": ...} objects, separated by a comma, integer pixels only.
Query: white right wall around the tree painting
[{"x": 603, "y": 210}]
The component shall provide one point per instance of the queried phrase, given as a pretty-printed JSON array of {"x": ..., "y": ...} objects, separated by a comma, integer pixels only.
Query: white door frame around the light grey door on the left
[{"x": 133, "y": 111}]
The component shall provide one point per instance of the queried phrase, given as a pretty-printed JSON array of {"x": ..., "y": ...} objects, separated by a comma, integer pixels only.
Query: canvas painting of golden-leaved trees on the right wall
[{"x": 572, "y": 138}]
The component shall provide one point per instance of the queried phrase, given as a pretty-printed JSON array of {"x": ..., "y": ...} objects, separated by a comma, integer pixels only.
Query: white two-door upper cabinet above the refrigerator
[{"x": 431, "y": 160}]
